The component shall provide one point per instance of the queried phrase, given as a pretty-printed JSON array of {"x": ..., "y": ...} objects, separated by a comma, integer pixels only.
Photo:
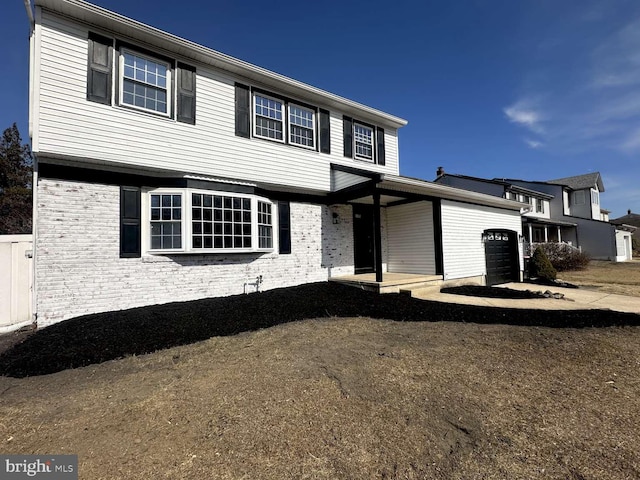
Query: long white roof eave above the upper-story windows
[{"x": 119, "y": 24}]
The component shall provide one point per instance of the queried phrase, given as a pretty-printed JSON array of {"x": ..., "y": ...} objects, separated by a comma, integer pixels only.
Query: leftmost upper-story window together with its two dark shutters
[{"x": 144, "y": 81}]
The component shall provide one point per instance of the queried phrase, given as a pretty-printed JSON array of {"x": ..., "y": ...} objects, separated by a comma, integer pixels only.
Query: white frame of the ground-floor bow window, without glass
[{"x": 187, "y": 222}]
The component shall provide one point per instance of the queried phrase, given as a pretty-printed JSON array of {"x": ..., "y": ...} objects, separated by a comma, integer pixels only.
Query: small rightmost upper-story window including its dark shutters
[{"x": 363, "y": 141}]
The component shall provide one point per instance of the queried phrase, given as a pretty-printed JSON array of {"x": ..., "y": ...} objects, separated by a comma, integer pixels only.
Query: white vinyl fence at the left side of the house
[{"x": 16, "y": 281}]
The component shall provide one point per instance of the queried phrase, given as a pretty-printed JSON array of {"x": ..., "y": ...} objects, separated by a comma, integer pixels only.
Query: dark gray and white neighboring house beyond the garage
[{"x": 562, "y": 210}]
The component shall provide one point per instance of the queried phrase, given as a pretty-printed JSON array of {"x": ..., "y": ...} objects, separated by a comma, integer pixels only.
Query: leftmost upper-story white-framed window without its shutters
[{"x": 145, "y": 82}]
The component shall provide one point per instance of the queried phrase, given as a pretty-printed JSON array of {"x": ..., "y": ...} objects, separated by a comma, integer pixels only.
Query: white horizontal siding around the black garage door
[{"x": 462, "y": 227}]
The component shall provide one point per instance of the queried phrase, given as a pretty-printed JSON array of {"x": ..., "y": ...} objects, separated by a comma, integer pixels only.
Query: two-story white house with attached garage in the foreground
[{"x": 167, "y": 171}]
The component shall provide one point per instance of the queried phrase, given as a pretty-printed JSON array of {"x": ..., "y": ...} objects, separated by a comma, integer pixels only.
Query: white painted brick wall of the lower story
[{"x": 79, "y": 270}]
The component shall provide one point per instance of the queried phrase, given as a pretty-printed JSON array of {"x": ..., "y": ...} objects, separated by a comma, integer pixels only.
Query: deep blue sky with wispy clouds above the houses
[{"x": 533, "y": 89}]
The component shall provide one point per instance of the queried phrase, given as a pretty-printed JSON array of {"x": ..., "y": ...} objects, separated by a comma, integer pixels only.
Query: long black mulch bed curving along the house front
[{"x": 106, "y": 336}]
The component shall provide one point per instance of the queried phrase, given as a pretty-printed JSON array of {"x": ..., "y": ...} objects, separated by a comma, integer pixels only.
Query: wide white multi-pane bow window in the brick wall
[{"x": 201, "y": 221}]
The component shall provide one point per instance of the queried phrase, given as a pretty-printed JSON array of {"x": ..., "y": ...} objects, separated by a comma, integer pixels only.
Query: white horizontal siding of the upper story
[{"x": 71, "y": 126}]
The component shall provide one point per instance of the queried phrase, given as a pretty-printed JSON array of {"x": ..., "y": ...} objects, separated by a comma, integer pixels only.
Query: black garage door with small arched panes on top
[{"x": 501, "y": 253}]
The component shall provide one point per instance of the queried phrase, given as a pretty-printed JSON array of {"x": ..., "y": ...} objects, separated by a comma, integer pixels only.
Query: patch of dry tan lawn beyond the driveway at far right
[{"x": 622, "y": 278}]
